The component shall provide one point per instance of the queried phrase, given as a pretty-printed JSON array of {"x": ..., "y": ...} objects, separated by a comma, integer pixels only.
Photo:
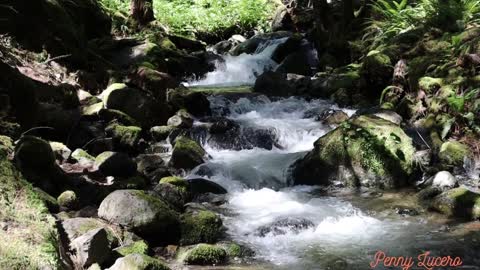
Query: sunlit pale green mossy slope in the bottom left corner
[{"x": 30, "y": 239}]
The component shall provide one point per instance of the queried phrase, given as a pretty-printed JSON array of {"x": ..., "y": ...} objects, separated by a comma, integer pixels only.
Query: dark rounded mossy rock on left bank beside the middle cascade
[{"x": 187, "y": 154}]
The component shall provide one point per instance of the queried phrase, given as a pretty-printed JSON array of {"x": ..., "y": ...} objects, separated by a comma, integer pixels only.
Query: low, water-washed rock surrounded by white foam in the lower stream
[{"x": 284, "y": 226}]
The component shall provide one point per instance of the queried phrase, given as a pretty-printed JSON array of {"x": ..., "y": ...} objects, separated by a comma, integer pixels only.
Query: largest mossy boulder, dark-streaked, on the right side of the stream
[{"x": 366, "y": 151}]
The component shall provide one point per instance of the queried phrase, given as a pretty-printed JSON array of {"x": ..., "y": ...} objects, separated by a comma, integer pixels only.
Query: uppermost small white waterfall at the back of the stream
[{"x": 242, "y": 69}]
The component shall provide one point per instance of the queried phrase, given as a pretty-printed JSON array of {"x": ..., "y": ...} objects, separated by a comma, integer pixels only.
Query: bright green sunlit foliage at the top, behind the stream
[{"x": 191, "y": 17}]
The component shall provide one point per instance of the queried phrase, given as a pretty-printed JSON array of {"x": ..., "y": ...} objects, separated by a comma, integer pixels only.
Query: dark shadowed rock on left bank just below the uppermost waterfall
[{"x": 195, "y": 103}]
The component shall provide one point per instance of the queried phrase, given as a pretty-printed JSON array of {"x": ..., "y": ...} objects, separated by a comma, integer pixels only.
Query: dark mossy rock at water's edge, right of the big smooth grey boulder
[{"x": 200, "y": 227}]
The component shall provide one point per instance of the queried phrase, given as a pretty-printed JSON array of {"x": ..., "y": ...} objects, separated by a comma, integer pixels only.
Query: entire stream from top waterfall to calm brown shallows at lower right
[{"x": 303, "y": 227}]
